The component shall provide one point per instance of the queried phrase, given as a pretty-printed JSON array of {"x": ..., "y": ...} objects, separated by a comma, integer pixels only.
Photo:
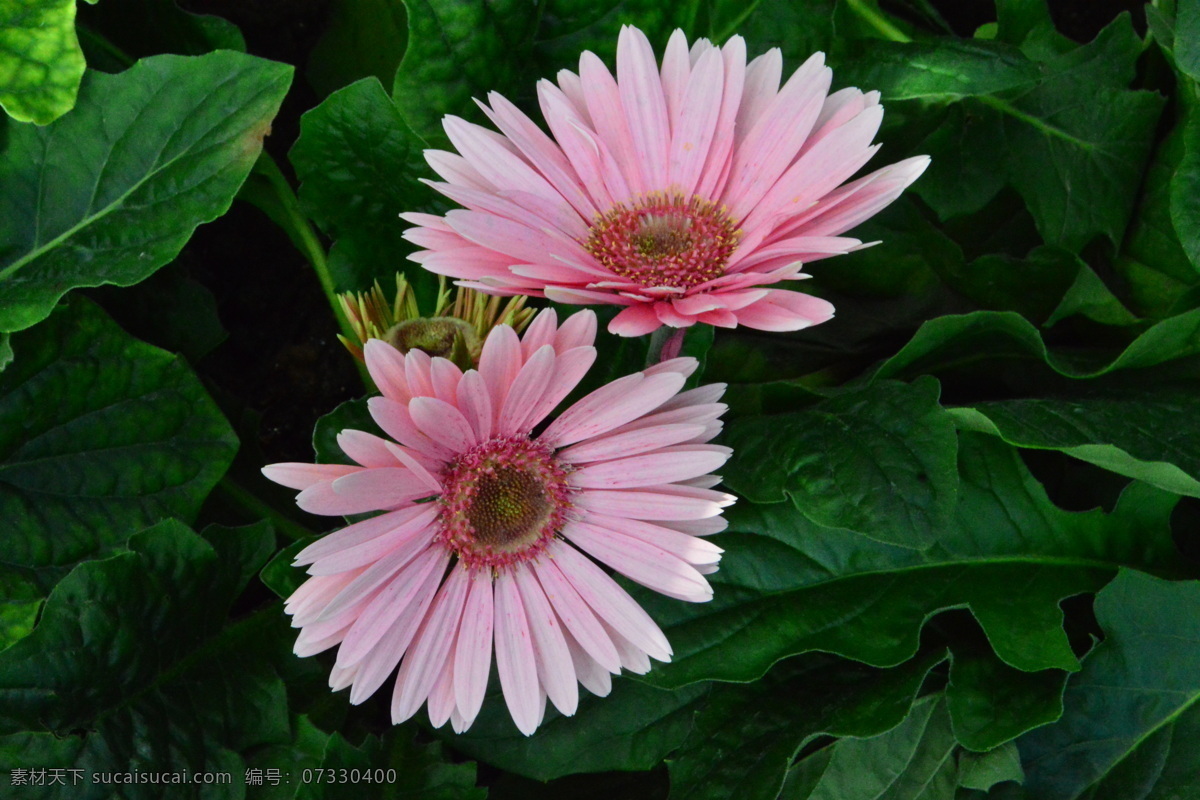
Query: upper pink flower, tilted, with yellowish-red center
[{"x": 677, "y": 191}]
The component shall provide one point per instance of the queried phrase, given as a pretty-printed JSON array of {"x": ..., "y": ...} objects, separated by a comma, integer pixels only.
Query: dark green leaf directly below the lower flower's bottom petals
[{"x": 633, "y": 729}]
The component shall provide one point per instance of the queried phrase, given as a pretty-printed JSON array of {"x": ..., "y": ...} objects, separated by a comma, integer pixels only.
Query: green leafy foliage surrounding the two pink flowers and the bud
[{"x": 964, "y": 561}]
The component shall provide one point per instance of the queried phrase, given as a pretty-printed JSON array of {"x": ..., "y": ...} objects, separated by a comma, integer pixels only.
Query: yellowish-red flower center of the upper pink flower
[{"x": 665, "y": 240}]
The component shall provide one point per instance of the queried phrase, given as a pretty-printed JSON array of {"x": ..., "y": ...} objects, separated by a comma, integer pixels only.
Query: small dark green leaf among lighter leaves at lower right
[{"x": 992, "y": 703}]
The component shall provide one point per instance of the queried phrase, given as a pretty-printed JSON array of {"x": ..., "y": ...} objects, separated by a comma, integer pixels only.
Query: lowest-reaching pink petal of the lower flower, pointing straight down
[{"x": 515, "y": 660}]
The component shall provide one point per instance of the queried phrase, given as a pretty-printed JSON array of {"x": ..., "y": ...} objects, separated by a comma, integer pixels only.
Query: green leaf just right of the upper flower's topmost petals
[{"x": 944, "y": 70}]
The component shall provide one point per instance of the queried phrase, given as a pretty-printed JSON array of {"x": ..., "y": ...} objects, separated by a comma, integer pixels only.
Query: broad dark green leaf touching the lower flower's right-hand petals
[{"x": 879, "y": 461}]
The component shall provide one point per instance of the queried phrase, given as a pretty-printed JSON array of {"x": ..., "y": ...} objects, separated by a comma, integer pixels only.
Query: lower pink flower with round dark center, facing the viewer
[{"x": 487, "y": 519}]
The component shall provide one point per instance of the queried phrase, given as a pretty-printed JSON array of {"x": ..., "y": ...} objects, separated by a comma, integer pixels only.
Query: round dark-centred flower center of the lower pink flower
[{"x": 503, "y": 502}]
